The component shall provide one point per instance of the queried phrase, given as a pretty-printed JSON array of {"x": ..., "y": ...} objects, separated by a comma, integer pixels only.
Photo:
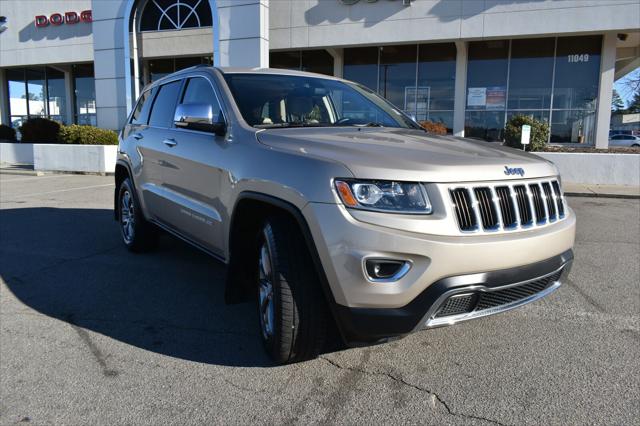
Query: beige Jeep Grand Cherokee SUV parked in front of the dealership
[{"x": 331, "y": 207}]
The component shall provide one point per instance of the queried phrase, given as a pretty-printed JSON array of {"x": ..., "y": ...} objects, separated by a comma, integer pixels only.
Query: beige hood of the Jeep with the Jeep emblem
[{"x": 410, "y": 155}]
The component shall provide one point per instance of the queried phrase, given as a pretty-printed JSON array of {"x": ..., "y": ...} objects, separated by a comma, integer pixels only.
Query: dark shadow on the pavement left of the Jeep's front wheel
[{"x": 70, "y": 264}]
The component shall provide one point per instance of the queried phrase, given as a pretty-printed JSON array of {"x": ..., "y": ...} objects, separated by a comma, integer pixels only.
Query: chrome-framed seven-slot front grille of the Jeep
[{"x": 490, "y": 207}]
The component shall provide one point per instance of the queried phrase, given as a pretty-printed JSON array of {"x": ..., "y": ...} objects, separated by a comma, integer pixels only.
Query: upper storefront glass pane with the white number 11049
[{"x": 577, "y": 72}]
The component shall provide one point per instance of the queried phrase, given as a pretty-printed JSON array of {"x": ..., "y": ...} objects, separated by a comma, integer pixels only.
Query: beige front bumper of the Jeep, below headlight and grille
[{"x": 484, "y": 267}]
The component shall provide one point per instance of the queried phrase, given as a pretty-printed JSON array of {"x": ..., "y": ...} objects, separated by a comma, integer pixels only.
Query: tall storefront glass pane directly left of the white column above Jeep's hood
[{"x": 436, "y": 83}]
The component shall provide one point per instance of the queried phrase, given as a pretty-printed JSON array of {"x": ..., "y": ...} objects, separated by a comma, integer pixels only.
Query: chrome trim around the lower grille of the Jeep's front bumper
[{"x": 429, "y": 320}]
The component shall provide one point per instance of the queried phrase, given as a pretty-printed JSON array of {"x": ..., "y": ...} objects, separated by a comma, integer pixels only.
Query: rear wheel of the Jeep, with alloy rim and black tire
[{"x": 137, "y": 234}]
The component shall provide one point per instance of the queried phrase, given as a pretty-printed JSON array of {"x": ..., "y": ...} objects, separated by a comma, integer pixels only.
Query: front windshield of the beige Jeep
[{"x": 272, "y": 100}]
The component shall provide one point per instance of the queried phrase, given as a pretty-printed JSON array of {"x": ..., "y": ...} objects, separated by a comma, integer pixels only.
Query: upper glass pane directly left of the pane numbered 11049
[{"x": 531, "y": 73}]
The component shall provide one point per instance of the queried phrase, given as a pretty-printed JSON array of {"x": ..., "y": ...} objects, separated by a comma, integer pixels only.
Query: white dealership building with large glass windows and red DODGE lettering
[{"x": 468, "y": 64}]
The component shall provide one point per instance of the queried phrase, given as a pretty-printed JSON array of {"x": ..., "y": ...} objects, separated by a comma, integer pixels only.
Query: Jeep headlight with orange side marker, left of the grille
[{"x": 384, "y": 196}]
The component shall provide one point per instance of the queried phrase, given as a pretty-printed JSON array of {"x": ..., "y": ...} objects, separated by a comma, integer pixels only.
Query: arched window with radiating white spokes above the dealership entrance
[{"x": 160, "y": 15}]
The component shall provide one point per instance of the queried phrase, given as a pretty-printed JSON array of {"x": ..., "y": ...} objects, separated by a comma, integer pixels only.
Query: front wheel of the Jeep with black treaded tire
[{"x": 291, "y": 307}]
